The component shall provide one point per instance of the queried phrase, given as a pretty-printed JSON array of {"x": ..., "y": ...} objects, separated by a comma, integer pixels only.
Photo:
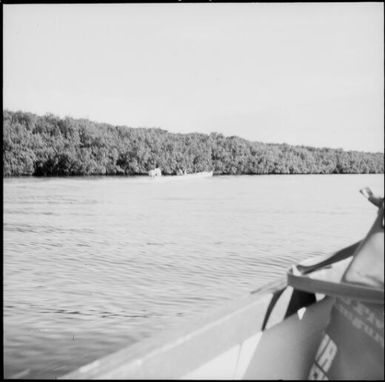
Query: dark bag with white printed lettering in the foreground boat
[{"x": 352, "y": 346}]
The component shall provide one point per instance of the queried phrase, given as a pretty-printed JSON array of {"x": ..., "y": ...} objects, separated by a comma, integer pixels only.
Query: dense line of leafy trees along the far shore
[{"x": 49, "y": 145}]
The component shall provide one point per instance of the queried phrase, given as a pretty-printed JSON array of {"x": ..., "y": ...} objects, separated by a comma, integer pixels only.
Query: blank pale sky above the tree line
[{"x": 300, "y": 73}]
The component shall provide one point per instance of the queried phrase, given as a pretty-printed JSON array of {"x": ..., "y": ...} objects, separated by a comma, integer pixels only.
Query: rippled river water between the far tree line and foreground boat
[{"x": 93, "y": 264}]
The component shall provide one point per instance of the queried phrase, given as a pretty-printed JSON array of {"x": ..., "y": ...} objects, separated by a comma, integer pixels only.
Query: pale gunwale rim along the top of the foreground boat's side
[{"x": 131, "y": 357}]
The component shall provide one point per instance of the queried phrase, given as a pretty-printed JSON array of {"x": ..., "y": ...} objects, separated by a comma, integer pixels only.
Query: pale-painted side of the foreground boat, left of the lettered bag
[{"x": 228, "y": 344}]
